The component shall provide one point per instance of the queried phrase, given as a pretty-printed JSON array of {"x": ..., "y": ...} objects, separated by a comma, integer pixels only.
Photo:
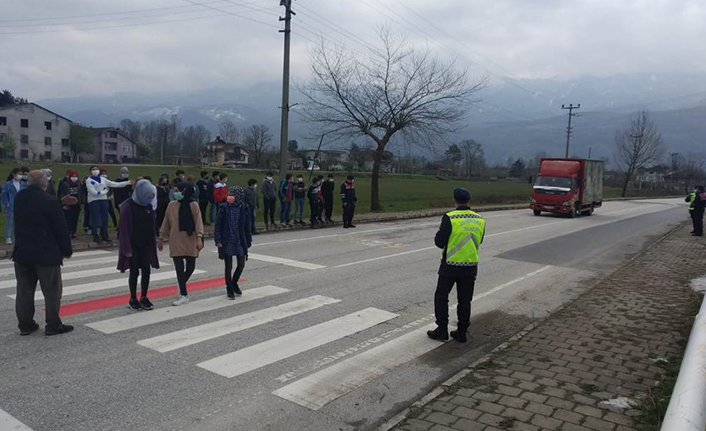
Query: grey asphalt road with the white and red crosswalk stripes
[{"x": 328, "y": 335}]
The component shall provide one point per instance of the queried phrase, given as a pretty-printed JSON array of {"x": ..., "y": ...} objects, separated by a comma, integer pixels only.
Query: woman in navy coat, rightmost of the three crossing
[{"x": 233, "y": 237}]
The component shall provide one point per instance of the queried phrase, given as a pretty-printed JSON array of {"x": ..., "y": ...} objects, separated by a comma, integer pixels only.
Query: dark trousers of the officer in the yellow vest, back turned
[{"x": 464, "y": 288}]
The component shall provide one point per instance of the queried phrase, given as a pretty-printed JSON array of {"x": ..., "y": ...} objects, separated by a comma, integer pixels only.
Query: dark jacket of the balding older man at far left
[{"x": 41, "y": 233}]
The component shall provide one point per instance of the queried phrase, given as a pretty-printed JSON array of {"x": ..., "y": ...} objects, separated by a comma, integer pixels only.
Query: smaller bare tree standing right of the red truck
[{"x": 637, "y": 146}]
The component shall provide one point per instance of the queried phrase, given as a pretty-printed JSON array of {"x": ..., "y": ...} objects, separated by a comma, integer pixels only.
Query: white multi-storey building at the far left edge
[{"x": 40, "y": 134}]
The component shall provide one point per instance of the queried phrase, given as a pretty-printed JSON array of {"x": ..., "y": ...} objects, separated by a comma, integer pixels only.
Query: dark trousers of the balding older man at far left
[{"x": 49, "y": 277}]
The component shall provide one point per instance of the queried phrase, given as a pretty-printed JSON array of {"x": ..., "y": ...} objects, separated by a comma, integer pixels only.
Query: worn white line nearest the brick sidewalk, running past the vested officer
[{"x": 318, "y": 389}]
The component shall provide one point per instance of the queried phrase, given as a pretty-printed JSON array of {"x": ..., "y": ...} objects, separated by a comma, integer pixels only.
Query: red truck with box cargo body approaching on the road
[{"x": 568, "y": 186}]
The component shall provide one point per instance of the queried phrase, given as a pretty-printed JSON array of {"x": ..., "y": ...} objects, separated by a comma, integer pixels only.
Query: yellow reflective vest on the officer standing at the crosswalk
[{"x": 467, "y": 231}]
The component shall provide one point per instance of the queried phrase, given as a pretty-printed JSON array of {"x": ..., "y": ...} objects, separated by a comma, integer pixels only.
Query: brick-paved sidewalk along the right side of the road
[{"x": 588, "y": 366}]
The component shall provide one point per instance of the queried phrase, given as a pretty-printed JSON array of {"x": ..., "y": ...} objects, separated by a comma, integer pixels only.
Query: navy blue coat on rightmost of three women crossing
[{"x": 236, "y": 242}]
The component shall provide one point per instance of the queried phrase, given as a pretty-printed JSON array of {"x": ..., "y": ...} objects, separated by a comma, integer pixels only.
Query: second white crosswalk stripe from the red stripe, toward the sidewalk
[{"x": 209, "y": 331}]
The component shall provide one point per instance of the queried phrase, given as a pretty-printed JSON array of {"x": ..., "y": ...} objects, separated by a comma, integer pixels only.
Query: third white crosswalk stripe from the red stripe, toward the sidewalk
[{"x": 257, "y": 356}]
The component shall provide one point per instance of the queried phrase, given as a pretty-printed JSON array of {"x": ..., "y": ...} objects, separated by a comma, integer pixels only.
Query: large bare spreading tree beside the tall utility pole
[{"x": 390, "y": 89}]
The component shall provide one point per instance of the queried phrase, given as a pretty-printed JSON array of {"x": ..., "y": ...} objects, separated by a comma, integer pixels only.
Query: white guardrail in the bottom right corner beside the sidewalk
[{"x": 687, "y": 406}]
